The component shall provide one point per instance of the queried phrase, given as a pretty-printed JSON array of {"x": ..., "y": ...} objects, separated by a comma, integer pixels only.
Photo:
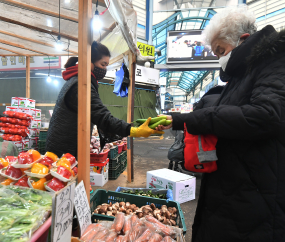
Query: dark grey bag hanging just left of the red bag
[{"x": 176, "y": 151}]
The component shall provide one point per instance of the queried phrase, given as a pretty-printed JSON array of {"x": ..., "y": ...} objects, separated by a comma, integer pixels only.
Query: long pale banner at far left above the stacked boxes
[{"x": 18, "y": 63}]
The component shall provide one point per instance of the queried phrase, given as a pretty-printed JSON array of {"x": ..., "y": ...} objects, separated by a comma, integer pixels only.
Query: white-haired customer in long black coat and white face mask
[{"x": 244, "y": 200}]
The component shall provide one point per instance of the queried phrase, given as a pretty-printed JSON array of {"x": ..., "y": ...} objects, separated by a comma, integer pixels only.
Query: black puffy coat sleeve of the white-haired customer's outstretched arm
[{"x": 262, "y": 118}]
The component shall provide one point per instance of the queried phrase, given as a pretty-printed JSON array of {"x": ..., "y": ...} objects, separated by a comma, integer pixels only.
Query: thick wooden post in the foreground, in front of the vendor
[{"x": 84, "y": 92}]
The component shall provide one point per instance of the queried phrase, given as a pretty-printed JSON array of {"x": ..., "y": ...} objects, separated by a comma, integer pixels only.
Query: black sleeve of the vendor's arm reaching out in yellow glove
[{"x": 100, "y": 115}]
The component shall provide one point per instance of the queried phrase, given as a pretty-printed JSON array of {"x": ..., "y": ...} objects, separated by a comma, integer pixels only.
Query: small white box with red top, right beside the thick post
[{"x": 97, "y": 179}]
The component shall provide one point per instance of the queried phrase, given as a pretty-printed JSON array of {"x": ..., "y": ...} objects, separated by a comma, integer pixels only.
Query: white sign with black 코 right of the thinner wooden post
[{"x": 147, "y": 75}]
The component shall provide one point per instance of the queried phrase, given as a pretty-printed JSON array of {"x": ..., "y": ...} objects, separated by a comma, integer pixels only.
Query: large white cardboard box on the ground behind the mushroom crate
[{"x": 183, "y": 186}]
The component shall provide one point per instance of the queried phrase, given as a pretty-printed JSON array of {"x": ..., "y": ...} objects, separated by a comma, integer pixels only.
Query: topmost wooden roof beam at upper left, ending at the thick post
[{"x": 43, "y": 11}]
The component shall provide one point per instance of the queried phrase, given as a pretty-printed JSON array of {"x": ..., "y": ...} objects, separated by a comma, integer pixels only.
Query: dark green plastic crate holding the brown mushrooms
[{"x": 101, "y": 196}]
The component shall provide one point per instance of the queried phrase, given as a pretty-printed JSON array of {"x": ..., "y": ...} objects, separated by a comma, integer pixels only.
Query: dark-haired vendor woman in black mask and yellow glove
[{"x": 62, "y": 133}]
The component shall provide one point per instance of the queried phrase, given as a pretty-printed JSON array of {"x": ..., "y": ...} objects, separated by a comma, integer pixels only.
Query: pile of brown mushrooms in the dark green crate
[{"x": 165, "y": 215}]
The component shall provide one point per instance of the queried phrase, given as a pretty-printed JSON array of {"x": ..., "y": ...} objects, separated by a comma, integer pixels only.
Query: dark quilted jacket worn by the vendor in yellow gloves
[{"x": 62, "y": 133}]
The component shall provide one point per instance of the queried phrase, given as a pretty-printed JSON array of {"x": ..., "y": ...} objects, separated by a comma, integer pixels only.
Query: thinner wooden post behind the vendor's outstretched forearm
[{"x": 130, "y": 116}]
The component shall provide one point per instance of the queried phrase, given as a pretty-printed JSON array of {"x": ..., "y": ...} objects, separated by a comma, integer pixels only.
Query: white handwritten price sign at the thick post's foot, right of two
[{"x": 82, "y": 207}]
